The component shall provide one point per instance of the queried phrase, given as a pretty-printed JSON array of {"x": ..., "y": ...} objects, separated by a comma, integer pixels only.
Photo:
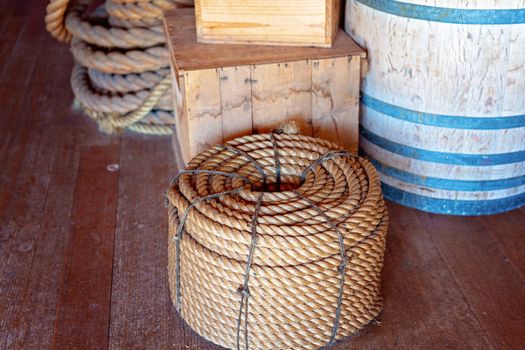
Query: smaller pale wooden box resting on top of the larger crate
[{"x": 268, "y": 22}]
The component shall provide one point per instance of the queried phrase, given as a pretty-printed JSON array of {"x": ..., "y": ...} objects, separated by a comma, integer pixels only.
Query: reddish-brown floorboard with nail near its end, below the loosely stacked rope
[{"x": 85, "y": 296}]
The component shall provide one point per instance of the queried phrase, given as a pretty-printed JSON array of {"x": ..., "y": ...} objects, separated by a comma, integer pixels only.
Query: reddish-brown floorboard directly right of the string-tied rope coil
[{"x": 435, "y": 313}]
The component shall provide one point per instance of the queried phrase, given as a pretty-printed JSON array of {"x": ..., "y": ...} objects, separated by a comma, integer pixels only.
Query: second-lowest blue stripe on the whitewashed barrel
[{"x": 446, "y": 184}]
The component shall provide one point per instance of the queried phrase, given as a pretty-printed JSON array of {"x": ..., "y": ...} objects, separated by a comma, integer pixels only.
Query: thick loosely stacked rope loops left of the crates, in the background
[{"x": 121, "y": 77}]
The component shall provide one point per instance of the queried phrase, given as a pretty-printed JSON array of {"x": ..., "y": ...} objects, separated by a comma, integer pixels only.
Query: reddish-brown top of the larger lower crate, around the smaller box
[{"x": 188, "y": 55}]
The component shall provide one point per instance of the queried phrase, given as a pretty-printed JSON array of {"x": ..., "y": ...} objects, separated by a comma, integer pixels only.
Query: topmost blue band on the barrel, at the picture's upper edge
[{"x": 446, "y": 14}]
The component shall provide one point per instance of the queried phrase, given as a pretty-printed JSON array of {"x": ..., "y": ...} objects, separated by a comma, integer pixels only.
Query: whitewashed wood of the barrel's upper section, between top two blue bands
[{"x": 412, "y": 59}]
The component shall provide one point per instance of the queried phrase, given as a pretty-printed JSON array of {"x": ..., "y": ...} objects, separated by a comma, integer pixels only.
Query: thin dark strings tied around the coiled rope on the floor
[{"x": 244, "y": 290}]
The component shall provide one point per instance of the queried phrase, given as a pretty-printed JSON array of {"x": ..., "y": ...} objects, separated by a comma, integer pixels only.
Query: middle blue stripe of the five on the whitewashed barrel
[{"x": 442, "y": 157}]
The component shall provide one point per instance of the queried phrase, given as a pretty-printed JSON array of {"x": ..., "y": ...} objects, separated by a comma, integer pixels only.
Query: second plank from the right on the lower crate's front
[{"x": 282, "y": 91}]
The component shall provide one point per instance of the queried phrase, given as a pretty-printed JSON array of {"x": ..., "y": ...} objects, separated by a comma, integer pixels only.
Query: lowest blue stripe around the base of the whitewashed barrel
[{"x": 453, "y": 207}]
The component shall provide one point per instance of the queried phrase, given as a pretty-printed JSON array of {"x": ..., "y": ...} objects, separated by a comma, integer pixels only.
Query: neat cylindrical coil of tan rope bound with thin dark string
[{"x": 276, "y": 242}]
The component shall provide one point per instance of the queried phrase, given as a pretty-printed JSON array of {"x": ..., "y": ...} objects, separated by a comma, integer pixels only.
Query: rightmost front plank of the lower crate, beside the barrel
[{"x": 335, "y": 105}]
